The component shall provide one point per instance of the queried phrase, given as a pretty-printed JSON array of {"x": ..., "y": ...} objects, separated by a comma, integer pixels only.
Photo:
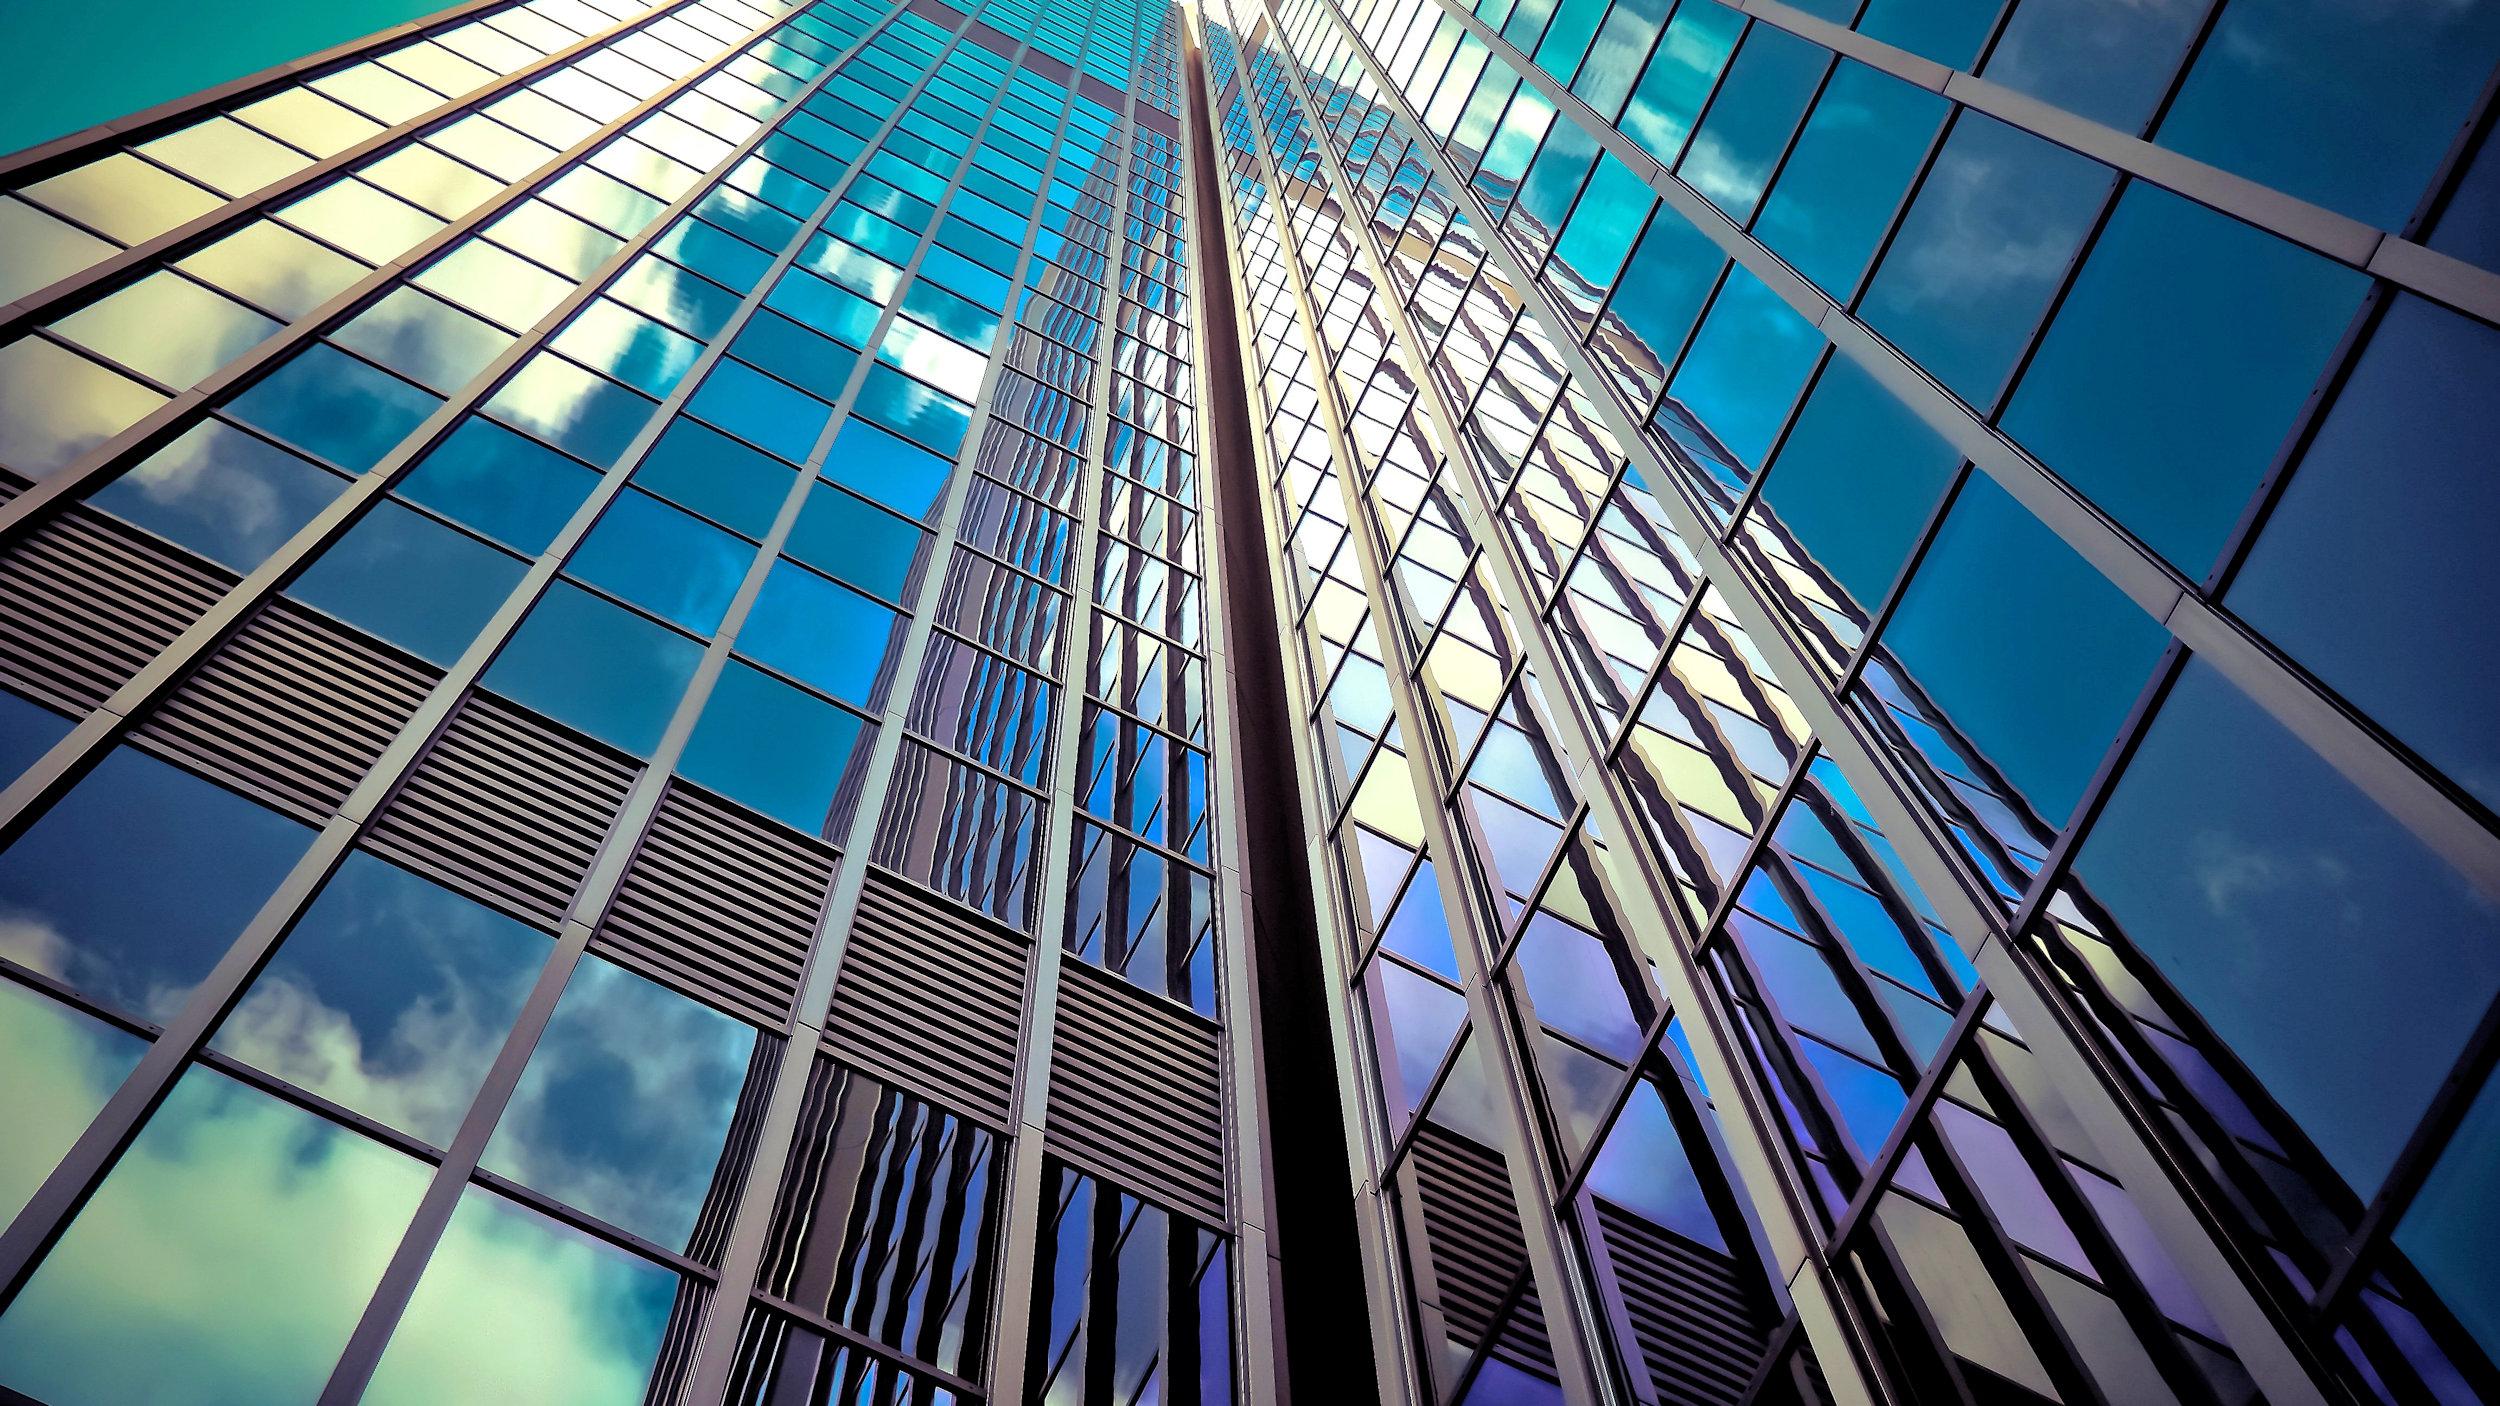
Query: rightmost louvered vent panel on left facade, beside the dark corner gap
[{"x": 1136, "y": 1095}]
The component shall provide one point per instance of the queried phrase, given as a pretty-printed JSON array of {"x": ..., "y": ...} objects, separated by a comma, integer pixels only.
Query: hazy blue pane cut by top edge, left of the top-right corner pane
[{"x": 2104, "y": 59}]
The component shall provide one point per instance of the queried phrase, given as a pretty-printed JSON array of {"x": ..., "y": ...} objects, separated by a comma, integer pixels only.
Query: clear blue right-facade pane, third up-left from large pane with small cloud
[{"x": 1746, "y": 367}]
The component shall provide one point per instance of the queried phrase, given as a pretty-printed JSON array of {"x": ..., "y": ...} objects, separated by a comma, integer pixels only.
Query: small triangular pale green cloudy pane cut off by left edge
[{"x": 64, "y": 1065}]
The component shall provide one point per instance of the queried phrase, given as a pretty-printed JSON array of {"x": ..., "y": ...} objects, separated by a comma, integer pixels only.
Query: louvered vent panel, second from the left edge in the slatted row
[{"x": 294, "y": 709}]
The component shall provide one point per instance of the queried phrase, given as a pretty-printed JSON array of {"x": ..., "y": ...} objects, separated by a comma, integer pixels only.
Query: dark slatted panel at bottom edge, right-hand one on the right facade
[{"x": 1696, "y": 1325}]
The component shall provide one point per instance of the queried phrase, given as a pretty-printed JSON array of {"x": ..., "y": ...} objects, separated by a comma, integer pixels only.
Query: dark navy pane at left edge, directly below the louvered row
[{"x": 136, "y": 882}]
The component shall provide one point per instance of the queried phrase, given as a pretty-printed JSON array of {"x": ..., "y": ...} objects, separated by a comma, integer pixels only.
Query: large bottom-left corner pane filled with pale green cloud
[{"x": 224, "y": 1260}]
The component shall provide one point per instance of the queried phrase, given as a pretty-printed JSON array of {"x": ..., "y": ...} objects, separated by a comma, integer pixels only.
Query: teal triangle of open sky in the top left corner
[{"x": 74, "y": 64}]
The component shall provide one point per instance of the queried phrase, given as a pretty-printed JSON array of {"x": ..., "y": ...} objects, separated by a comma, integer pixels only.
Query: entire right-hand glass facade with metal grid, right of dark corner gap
[{"x": 1634, "y": 527}]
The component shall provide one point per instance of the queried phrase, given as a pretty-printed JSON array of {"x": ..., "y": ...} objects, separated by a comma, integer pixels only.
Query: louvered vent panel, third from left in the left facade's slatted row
[{"x": 506, "y": 807}]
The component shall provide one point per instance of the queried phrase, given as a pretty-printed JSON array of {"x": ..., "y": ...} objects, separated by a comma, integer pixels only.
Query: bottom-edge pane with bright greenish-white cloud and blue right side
[{"x": 519, "y": 1307}]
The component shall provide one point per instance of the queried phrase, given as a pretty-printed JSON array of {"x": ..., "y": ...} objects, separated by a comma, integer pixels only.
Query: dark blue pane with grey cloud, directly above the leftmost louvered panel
[{"x": 221, "y": 494}]
